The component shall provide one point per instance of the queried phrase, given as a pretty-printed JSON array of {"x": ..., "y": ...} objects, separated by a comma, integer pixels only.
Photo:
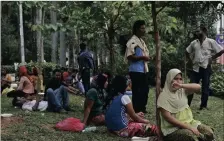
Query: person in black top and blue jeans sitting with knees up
[{"x": 56, "y": 93}]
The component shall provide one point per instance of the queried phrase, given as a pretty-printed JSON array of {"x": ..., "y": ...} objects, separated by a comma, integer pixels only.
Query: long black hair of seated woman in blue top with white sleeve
[{"x": 119, "y": 85}]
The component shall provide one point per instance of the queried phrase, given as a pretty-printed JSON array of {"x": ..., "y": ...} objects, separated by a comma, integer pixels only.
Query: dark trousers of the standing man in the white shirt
[{"x": 203, "y": 74}]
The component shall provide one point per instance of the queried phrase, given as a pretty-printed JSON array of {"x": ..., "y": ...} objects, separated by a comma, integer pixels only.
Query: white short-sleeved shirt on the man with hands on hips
[{"x": 200, "y": 53}]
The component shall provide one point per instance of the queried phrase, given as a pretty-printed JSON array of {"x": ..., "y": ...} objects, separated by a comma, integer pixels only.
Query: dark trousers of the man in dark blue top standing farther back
[{"x": 86, "y": 79}]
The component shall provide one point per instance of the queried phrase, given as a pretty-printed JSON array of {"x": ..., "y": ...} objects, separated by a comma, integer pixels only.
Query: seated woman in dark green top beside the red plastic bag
[{"x": 93, "y": 106}]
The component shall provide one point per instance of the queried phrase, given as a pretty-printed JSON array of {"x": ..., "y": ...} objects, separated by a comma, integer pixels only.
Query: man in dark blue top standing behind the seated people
[{"x": 86, "y": 63}]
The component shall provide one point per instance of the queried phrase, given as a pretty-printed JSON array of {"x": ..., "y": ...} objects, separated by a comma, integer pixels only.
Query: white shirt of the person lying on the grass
[{"x": 29, "y": 105}]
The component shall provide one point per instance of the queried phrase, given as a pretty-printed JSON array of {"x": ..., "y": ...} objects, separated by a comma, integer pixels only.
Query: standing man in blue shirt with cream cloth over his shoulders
[{"x": 138, "y": 56}]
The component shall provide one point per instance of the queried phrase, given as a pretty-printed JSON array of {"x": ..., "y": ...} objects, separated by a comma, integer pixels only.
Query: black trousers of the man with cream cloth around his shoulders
[{"x": 140, "y": 90}]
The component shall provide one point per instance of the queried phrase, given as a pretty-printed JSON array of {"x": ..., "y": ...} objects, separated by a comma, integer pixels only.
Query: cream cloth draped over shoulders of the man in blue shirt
[{"x": 132, "y": 44}]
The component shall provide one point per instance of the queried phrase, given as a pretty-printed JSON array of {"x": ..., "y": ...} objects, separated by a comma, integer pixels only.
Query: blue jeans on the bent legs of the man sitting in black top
[{"x": 57, "y": 99}]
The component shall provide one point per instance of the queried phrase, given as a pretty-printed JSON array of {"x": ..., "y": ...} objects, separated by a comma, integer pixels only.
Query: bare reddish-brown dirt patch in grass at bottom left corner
[{"x": 5, "y": 122}]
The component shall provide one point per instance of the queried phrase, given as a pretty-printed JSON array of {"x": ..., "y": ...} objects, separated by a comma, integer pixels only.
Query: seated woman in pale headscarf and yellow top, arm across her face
[{"x": 177, "y": 122}]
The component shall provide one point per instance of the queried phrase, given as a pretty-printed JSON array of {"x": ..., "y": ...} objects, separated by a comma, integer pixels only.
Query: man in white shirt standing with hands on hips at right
[{"x": 202, "y": 51}]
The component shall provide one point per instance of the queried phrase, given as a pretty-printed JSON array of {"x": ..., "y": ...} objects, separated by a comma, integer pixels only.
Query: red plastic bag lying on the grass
[{"x": 70, "y": 124}]
